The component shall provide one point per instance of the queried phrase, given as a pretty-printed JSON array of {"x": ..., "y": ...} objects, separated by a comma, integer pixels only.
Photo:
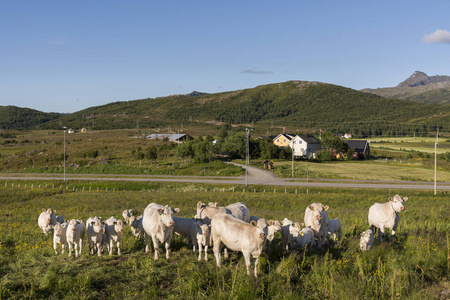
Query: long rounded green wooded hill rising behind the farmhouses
[{"x": 294, "y": 103}]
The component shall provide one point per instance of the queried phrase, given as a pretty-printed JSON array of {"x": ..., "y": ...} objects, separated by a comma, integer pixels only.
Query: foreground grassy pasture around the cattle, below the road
[{"x": 415, "y": 266}]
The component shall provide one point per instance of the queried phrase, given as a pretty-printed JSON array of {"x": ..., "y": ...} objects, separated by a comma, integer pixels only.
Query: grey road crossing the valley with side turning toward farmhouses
[{"x": 255, "y": 176}]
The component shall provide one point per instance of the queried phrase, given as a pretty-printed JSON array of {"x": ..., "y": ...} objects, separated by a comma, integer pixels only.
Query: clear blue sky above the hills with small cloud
[{"x": 65, "y": 56}]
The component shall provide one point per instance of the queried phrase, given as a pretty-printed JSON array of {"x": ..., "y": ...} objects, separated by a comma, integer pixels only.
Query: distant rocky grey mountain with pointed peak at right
[{"x": 418, "y": 87}]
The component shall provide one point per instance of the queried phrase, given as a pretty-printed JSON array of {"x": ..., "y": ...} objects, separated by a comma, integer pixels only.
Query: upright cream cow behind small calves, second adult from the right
[{"x": 316, "y": 217}]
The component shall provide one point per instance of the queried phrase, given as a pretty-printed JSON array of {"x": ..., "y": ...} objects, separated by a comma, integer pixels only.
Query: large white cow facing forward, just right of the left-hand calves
[{"x": 158, "y": 224}]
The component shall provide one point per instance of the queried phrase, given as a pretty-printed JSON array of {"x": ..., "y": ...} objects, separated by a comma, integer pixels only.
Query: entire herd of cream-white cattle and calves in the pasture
[{"x": 229, "y": 227}]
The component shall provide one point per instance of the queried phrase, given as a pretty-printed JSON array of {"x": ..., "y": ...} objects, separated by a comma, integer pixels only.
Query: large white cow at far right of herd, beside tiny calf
[{"x": 385, "y": 215}]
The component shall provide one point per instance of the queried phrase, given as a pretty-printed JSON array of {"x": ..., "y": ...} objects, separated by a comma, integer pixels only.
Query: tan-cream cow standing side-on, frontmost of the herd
[{"x": 238, "y": 235}]
